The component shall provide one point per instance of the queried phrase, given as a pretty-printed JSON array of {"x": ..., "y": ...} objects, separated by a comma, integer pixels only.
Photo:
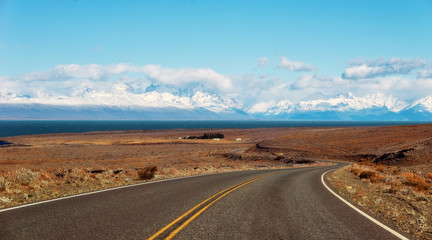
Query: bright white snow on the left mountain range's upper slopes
[{"x": 123, "y": 95}]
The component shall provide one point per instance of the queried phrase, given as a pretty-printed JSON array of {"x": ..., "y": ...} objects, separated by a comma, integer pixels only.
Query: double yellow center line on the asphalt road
[{"x": 188, "y": 217}]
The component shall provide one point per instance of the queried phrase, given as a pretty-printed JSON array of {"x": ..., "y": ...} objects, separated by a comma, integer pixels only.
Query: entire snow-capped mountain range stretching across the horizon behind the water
[{"x": 123, "y": 102}]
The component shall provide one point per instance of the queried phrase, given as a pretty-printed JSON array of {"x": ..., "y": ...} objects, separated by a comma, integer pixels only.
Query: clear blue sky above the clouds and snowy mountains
[{"x": 227, "y": 37}]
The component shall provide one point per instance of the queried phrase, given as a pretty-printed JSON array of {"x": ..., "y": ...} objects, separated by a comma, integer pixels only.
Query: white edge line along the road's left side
[{"x": 103, "y": 190}]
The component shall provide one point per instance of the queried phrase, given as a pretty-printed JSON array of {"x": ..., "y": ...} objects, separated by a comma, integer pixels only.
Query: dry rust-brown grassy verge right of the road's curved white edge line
[{"x": 399, "y": 196}]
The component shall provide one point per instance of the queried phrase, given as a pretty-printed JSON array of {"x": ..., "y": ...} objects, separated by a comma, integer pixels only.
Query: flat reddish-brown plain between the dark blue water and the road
[{"x": 163, "y": 148}]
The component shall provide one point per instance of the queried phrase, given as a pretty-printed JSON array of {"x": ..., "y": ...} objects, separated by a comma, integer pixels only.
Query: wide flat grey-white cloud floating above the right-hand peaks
[{"x": 369, "y": 69}]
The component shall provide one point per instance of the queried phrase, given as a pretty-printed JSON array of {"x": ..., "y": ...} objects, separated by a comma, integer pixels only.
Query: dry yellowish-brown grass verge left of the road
[{"x": 25, "y": 185}]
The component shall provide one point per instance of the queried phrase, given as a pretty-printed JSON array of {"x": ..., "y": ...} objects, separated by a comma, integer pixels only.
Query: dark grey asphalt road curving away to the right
[{"x": 281, "y": 204}]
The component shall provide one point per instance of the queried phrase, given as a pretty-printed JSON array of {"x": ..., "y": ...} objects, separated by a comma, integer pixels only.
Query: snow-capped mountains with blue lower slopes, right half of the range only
[{"x": 377, "y": 107}]
